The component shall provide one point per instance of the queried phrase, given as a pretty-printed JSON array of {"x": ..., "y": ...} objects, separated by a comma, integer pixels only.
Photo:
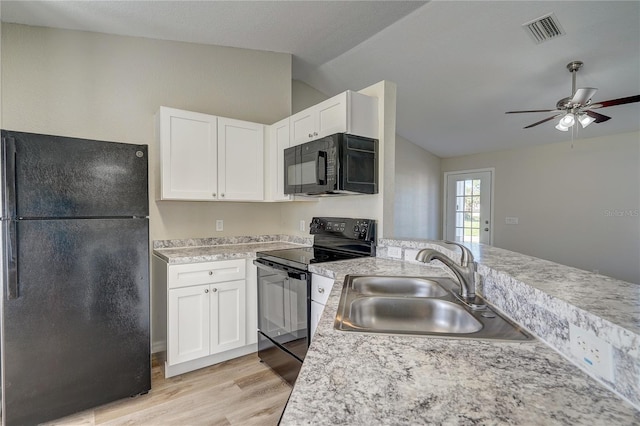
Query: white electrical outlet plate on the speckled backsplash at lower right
[{"x": 593, "y": 353}]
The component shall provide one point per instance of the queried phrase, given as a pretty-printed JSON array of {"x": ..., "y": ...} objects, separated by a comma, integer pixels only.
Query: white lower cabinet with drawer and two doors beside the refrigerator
[{"x": 210, "y": 315}]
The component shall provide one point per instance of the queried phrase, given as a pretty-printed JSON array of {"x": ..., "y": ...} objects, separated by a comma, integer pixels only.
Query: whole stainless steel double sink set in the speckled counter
[{"x": 426, "y": 306}]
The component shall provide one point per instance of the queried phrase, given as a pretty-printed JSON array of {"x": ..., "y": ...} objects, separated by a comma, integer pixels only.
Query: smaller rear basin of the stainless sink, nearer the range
[{"x": 398, "y": 286}]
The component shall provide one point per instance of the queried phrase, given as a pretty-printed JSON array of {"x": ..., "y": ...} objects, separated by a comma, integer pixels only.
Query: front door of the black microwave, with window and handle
[{"x": 310, "y": 167}]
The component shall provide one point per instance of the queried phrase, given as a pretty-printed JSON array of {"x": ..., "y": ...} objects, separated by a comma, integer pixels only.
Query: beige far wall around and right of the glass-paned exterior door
[{"x": 577, "y": 203}]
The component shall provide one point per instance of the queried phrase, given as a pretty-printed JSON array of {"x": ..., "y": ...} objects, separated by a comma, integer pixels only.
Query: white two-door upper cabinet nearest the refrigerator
[{"x": 208, "y": 158}]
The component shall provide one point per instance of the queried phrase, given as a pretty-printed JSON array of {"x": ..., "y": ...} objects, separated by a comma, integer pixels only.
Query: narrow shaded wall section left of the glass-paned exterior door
[{"x": 417, "y": 192}]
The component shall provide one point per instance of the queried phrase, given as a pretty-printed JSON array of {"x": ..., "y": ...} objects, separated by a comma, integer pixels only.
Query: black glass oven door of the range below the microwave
[{"x": 283, "y": 305}]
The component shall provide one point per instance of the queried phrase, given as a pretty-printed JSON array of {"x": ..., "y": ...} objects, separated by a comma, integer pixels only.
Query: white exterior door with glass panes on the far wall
[{"x": 468, "y": 206}]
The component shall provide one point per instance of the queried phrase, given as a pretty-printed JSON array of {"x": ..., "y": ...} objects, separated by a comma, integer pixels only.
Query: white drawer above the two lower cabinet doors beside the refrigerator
[{"x": 206, "y": 273}]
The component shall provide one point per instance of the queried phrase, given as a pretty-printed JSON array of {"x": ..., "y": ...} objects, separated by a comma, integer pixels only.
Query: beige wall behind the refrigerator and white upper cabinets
[{"x": 107, "y": 87}]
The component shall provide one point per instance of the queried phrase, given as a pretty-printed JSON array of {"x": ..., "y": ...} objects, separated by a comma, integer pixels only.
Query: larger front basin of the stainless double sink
[{"x": 400, "y": 314}]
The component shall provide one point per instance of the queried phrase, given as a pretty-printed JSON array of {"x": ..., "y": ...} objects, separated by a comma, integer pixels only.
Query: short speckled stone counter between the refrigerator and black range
[{"x": 212, "y": 249}]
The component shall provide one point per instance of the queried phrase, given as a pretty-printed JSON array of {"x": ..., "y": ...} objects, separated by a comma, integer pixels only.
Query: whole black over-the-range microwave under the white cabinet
[{"x": 334, "y": 165}]
